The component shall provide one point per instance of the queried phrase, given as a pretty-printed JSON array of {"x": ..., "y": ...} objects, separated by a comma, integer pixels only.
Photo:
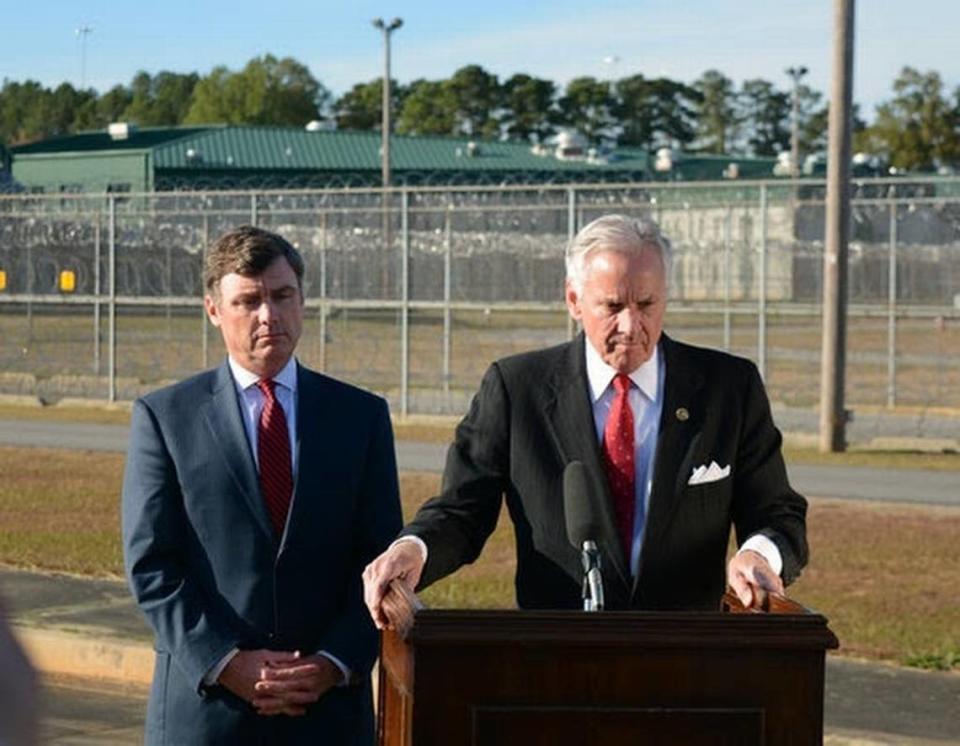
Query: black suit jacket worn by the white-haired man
[{"x": 532, "y": 416}]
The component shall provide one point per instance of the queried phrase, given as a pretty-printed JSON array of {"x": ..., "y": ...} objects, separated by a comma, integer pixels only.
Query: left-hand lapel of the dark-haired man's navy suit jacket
[{"x": 222, "y": 415}]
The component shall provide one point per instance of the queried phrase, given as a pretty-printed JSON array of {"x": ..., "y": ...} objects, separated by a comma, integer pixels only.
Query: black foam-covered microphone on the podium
[{"x": 582, "y": 530}]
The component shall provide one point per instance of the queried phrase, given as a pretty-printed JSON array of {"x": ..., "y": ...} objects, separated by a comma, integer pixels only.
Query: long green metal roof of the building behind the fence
[{"x": 224, "y": 149}]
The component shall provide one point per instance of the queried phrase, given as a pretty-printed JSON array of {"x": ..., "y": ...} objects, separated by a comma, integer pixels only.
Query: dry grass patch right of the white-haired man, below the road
[{"x": 888, "y": 577}]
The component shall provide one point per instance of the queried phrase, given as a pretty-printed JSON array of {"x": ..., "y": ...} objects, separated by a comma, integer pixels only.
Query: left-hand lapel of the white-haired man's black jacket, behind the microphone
[{"x": 571, "y": 414}]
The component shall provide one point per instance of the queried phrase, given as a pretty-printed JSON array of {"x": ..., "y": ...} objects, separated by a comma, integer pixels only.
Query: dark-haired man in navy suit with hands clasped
[{"x": 253, "y": 496}]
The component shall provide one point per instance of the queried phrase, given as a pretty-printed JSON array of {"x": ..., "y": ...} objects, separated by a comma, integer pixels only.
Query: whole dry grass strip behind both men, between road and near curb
[{"x": 887, "y": 576}]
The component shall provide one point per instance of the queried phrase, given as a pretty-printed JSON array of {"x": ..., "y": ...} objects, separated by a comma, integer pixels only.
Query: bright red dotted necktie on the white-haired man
[{"x": 618, "y": 456}]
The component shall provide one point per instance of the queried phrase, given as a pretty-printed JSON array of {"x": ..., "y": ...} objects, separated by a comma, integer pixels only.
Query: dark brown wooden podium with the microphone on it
[{"x": 498, "y": 678}]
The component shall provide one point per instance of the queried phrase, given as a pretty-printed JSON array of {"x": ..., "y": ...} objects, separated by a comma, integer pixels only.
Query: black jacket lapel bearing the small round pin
[{"x": 680, "y": 424}]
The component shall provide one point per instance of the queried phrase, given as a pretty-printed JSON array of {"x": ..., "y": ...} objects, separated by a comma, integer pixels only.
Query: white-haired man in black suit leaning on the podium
[{"x": 677, "y": 439}]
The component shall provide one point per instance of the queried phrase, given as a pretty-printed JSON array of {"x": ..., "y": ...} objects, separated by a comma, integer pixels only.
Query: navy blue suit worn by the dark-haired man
[{"x": 209, "y": 575}]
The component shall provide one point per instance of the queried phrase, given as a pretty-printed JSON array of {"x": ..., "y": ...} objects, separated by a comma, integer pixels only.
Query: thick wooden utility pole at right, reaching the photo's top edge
[{"x": 833, "y": 415}]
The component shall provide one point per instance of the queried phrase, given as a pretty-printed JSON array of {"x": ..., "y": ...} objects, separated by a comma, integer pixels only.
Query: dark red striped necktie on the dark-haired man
[{"x": 273, "y": 456}]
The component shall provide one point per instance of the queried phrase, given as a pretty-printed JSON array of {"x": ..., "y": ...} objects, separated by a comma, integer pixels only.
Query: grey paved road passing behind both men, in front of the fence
[{"x": 898, "y": 485}]
